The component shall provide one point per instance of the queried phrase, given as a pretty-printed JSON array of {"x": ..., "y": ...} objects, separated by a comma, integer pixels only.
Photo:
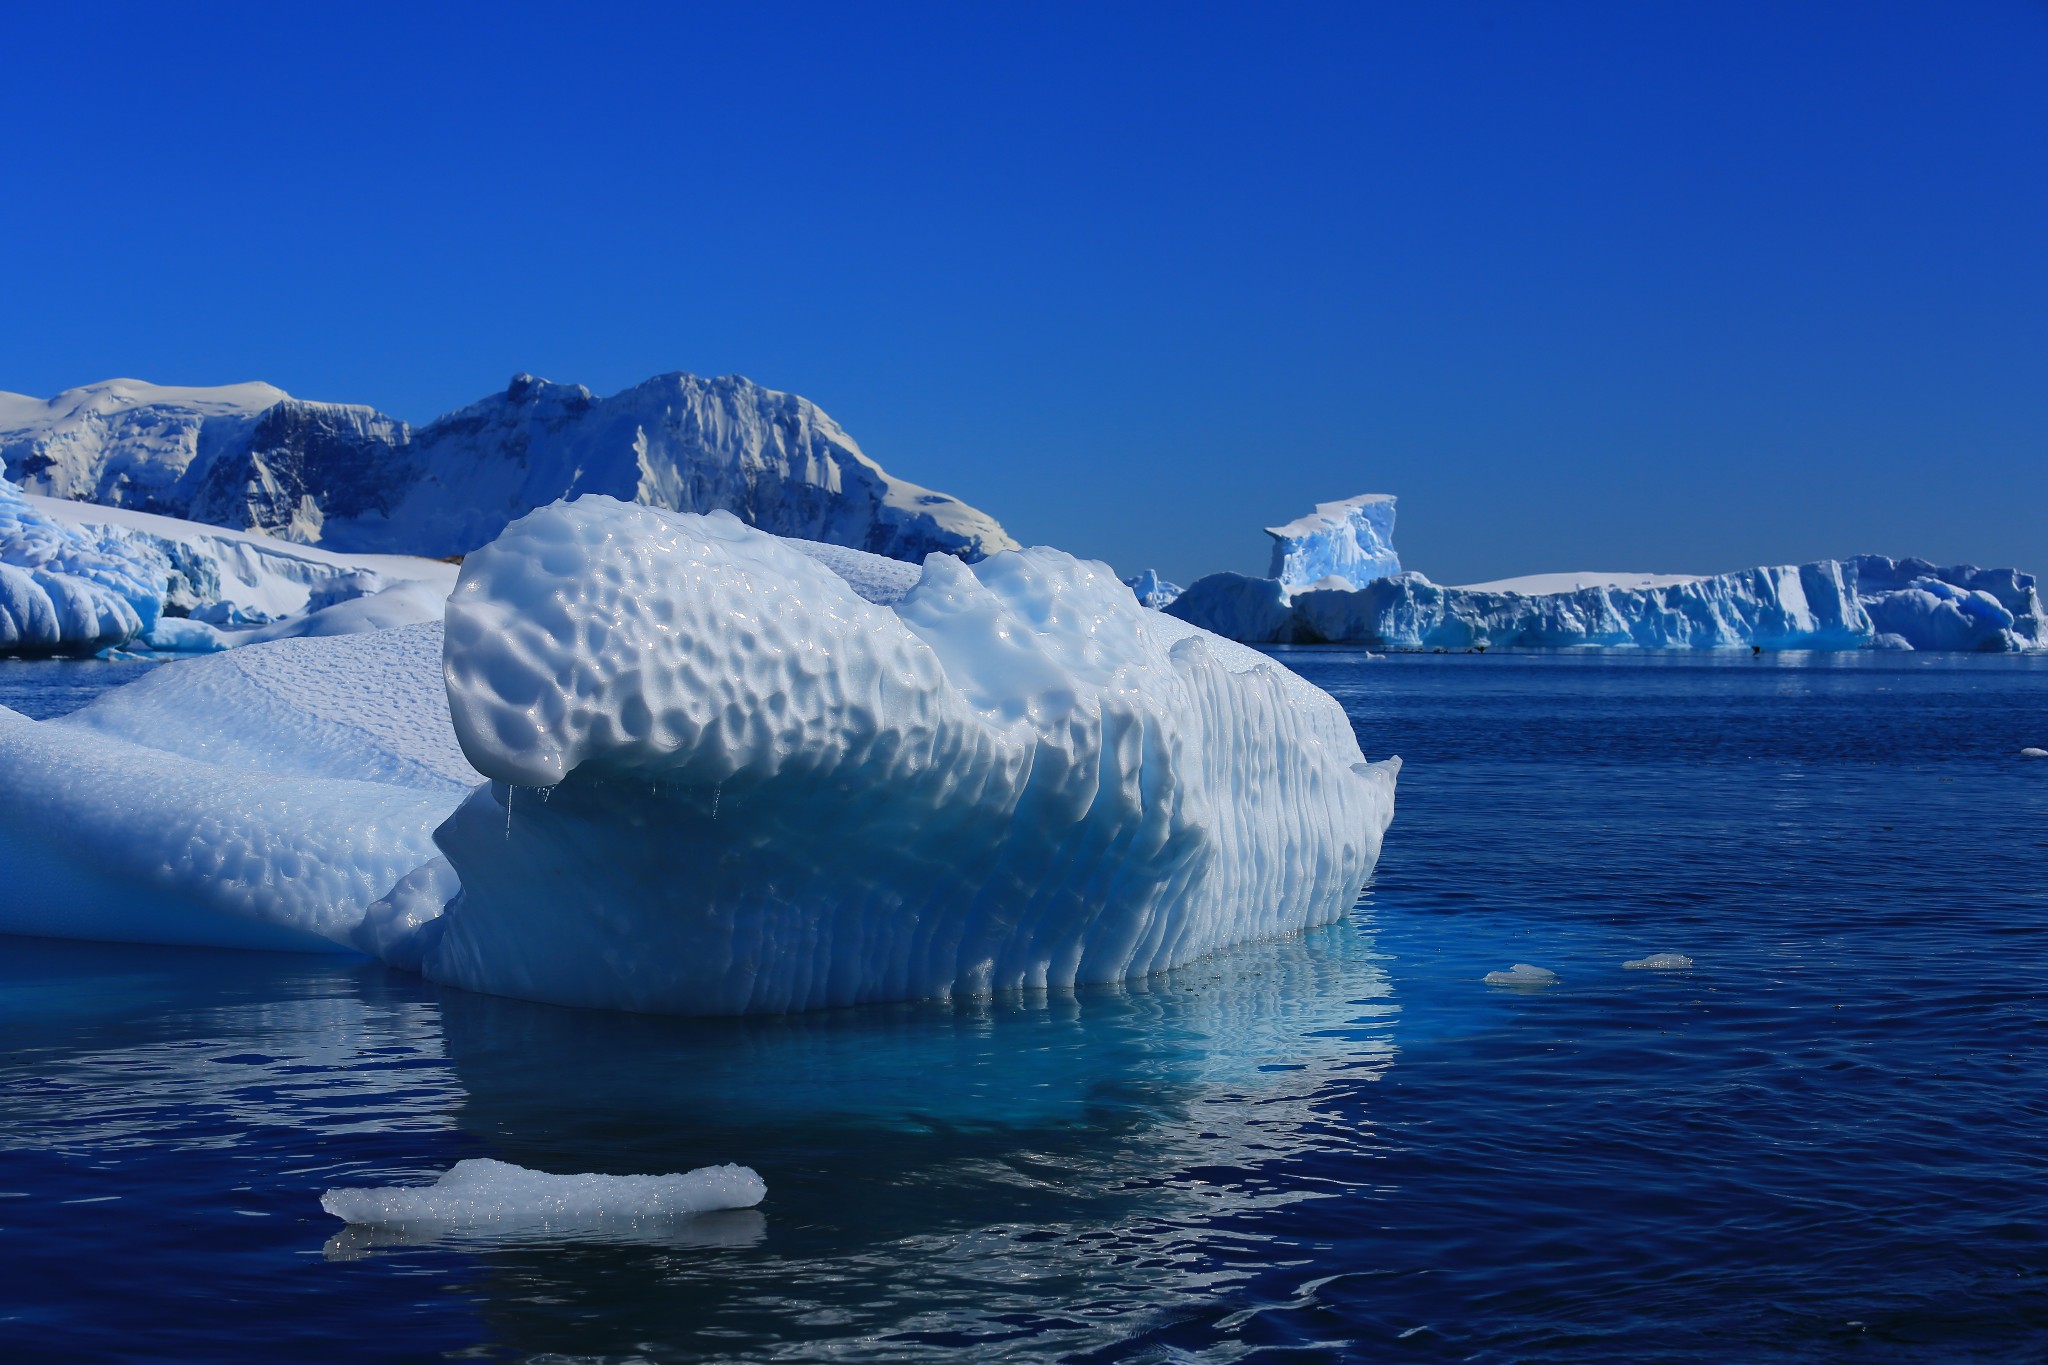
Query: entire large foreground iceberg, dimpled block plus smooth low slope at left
[{"x": 673, "y": 764}]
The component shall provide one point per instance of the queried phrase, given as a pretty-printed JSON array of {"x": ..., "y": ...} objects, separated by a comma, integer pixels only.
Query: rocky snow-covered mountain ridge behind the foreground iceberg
[{"x": 353, "y": 480}]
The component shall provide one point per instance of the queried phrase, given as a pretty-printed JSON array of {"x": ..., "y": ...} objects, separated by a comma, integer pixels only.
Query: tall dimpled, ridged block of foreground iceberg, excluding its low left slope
[{"x": 728, "y": 783}]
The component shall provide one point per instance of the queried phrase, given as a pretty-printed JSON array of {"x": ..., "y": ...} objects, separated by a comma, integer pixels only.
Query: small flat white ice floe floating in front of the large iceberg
[{"x": 495, "y": 1194}]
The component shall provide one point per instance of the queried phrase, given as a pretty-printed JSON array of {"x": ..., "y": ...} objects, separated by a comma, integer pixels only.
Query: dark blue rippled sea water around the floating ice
[{"x": 1826, "y": 1143}]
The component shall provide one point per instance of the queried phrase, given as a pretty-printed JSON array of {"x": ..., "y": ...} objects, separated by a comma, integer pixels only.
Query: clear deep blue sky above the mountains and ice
[{"x": 1588, "y": 285}]
